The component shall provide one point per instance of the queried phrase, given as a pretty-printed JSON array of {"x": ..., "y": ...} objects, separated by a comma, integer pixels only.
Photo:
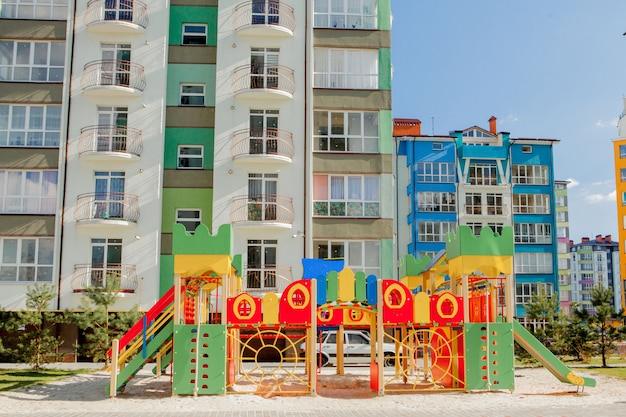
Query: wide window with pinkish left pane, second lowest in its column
[{"x": 346, "y": 196}]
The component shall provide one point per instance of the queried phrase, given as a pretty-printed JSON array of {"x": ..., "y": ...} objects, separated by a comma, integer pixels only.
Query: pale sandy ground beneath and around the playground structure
[{"x": 534, "y": 387}]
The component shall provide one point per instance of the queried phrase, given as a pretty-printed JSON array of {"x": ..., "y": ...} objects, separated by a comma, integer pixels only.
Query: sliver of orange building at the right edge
[{"x": 619, "y": 156}]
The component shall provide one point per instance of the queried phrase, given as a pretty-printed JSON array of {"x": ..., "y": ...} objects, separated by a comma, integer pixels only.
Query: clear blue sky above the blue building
[{"x": 551, "y": 69}]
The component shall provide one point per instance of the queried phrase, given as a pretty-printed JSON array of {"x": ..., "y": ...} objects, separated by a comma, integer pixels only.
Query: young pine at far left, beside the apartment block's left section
[{"x": 35, "y": 342}]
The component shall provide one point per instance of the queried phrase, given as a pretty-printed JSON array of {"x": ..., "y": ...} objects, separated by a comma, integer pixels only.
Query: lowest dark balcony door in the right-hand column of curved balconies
[{"x": 261, "y": 270}]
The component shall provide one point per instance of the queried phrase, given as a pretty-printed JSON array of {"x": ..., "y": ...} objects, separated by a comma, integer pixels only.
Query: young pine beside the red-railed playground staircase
[{"x": 101, "y": 325}]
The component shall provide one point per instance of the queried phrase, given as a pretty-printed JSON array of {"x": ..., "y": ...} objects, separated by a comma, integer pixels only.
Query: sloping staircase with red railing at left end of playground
[{"x": 151, "y": 335}]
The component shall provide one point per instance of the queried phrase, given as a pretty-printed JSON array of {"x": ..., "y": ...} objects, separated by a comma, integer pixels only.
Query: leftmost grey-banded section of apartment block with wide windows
[{"x": 34, "y": 74}]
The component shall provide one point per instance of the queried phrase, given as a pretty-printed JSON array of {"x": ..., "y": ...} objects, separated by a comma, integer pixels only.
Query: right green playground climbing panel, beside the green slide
[{"x": 489, "y": 356}]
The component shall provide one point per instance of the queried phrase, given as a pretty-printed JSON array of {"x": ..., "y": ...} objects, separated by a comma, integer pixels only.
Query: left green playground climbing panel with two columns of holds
[{"x": 199, "y": 359}]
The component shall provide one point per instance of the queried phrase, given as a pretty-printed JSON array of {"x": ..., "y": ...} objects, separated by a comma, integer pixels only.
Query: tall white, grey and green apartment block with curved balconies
[{"x": 270, "y": 115}]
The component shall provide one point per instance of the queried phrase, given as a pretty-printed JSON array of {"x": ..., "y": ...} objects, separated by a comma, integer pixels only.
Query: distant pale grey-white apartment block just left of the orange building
[{"x": 595, "y": 262}]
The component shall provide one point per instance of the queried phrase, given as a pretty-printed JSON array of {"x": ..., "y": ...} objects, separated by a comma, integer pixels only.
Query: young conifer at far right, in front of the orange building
[{"x": 606, "y": 322}]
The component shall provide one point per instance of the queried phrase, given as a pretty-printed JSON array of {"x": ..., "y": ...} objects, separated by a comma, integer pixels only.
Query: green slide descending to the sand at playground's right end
[{"x": 547, "y": 358}]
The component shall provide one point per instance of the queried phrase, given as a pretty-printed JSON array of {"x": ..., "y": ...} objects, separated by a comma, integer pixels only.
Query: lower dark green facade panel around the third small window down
[{"x": 188, "y": 136}]
